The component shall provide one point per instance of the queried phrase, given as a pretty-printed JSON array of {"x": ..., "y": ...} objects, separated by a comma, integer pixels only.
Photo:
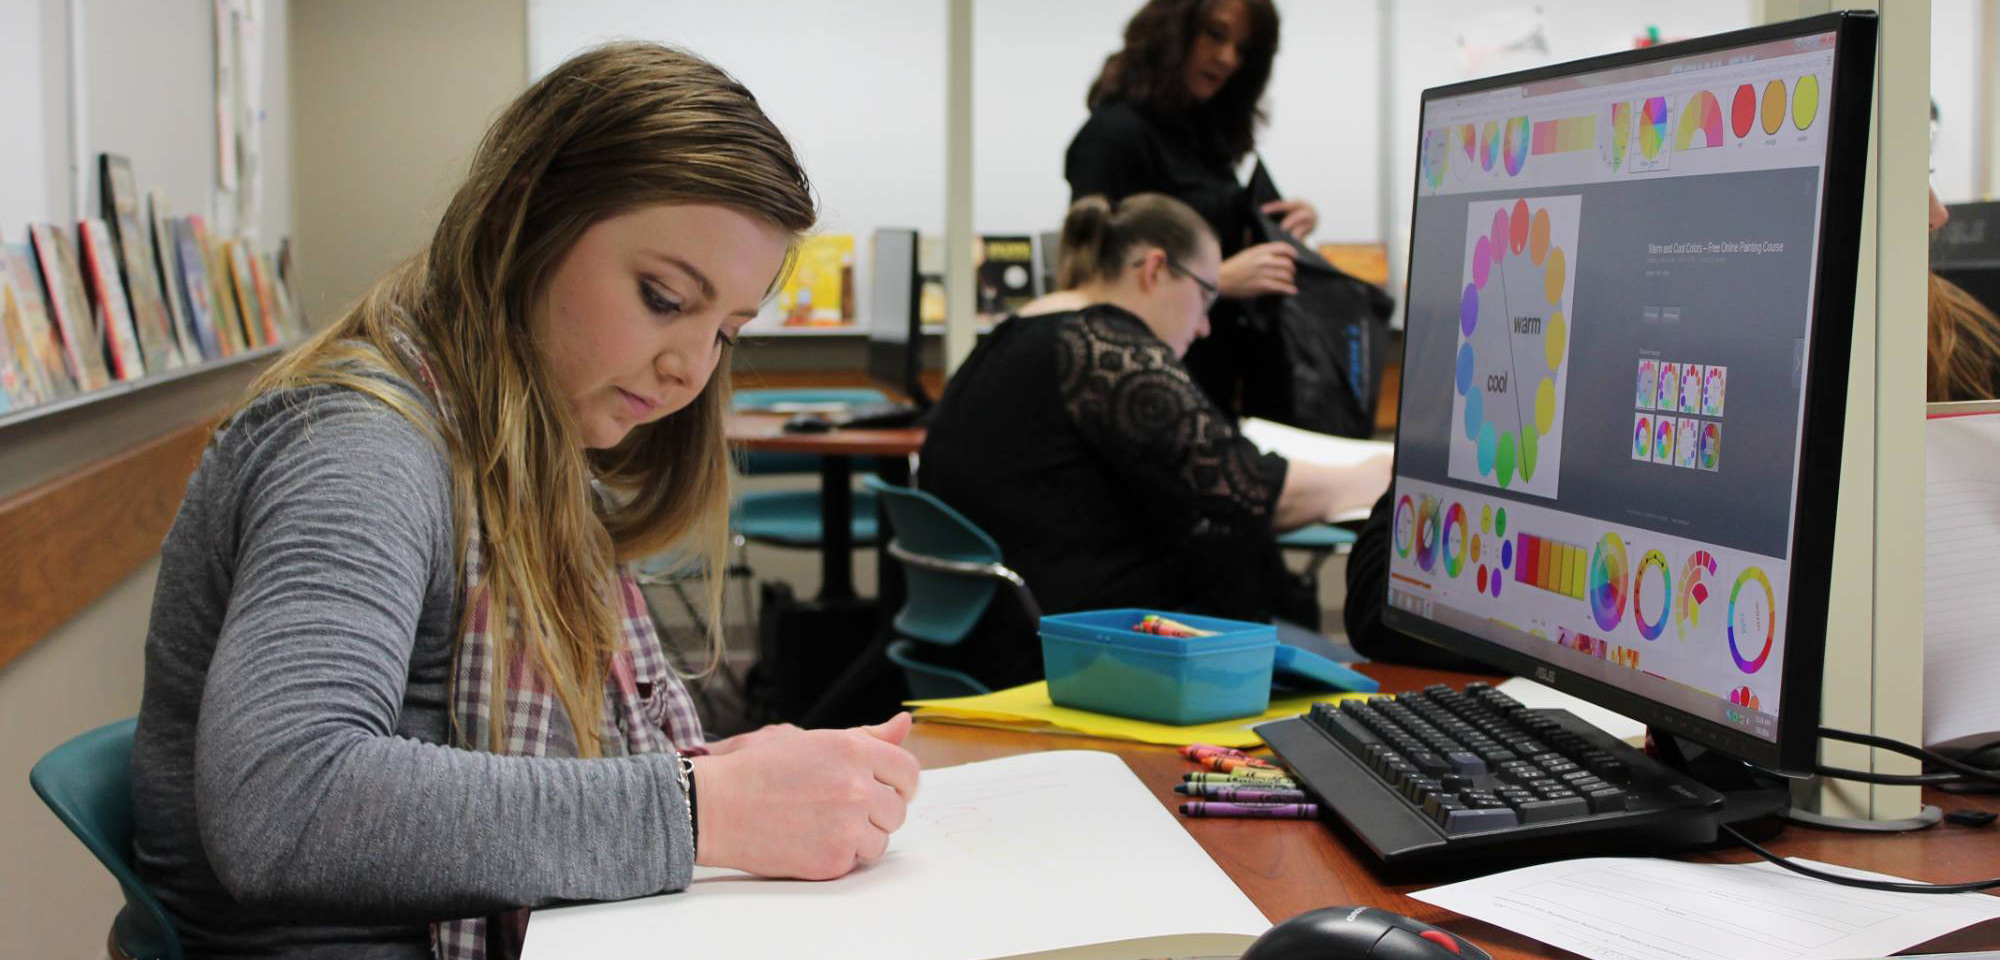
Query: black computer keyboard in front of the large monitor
[{"x": 1445, "y": 773}]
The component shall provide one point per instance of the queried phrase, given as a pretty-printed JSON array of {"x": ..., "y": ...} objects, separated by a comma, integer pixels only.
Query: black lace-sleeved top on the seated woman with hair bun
[{"x": 1079, "y": 443}]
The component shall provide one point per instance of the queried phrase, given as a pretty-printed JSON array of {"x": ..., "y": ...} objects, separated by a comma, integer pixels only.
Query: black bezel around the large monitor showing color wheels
[{"x": 1821, "y": 439}]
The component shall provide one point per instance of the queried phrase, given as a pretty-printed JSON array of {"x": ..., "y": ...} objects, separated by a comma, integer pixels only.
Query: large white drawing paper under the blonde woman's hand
[{"x": 997, "y": 859}]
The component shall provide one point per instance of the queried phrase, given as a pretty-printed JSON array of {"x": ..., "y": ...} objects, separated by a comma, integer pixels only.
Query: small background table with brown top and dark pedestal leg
[{"x": 837, "y": 451}]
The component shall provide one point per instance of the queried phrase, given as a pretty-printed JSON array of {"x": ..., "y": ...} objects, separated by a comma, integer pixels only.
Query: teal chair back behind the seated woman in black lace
[{"x": 953, "y": 573}]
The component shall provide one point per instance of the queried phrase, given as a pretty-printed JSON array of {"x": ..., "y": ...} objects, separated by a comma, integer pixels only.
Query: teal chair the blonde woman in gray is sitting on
[{"x": 89, "y": 785}]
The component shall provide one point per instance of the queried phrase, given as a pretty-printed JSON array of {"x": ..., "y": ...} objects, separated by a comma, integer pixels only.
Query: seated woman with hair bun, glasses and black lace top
[{"x": 1079, "y": 441}]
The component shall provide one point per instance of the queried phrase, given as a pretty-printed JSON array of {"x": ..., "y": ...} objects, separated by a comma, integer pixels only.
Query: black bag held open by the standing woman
[{"x": 1333, "y": 333}]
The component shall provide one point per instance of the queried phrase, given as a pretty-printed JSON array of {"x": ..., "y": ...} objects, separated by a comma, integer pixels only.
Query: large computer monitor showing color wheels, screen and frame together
[{"x": 1625, "y": 377}]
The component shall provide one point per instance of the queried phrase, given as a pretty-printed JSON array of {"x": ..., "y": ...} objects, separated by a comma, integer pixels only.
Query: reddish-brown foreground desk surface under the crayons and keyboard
[{"x": 1295, "y": 867}]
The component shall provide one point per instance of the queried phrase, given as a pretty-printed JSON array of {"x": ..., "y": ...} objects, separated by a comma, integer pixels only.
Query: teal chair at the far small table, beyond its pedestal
[{"x": 793, "y": 517}]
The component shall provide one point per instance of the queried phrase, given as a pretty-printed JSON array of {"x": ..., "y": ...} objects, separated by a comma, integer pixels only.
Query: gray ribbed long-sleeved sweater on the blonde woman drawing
[{"x": 293, "y": 791}]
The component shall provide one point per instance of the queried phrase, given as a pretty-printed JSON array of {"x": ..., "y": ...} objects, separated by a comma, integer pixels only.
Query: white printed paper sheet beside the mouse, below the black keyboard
[{"x": 1633, "y": 909}]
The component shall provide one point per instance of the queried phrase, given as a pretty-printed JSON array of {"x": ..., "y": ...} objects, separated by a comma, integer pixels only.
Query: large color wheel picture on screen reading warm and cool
[{"x": 1515, "y": 343}]
